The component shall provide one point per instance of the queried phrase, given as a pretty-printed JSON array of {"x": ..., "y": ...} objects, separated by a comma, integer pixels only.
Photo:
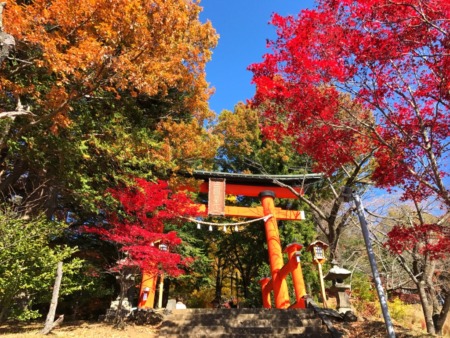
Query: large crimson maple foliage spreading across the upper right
[{"x": 392, "y": 59}]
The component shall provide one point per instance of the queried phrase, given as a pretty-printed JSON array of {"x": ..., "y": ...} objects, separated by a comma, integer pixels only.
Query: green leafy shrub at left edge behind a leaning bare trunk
[{"x": 28, "y": 260}]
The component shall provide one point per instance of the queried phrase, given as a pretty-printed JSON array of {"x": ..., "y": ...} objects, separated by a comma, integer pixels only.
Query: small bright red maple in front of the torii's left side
[{"x": 138, "y": 227}]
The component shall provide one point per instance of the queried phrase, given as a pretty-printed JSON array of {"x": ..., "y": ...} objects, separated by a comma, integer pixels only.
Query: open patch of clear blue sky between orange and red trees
[{"x": 243, "y": 28}]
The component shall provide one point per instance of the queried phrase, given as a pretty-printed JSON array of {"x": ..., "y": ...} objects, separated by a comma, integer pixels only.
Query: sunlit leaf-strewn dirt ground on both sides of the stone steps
[{"x": 367, "y": 328}]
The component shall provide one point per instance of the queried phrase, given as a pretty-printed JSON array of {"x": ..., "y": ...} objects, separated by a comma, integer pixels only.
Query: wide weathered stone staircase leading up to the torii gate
[{"x": 236, "y": 323}]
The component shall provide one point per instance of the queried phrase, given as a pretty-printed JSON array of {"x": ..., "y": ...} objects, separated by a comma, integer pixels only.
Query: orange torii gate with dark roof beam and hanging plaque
[{"x": 217, "y": 185}]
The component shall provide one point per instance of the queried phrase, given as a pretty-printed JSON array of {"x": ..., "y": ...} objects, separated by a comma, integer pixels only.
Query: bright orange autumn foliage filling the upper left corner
[{"x": 140, "y": 46}]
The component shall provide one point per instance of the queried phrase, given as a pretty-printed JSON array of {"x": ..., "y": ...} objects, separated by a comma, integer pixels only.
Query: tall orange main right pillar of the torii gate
[{"x": 280, "y": 289}]
